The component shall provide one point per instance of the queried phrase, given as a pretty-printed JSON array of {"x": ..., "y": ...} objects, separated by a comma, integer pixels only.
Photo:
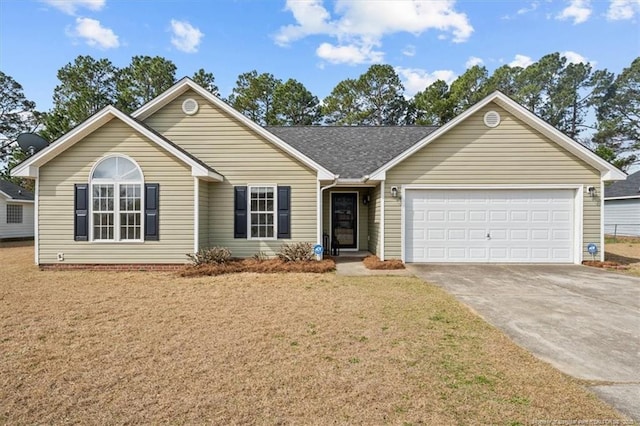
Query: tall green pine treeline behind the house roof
[{"x": 596, "y": 107}]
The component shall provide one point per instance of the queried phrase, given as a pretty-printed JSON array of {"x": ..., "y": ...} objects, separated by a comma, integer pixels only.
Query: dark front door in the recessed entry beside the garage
[{"x": 344, "y": 214}]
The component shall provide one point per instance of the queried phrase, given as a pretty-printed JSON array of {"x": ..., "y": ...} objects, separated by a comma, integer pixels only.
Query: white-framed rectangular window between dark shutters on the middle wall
[{"x": 262, "y": 212}]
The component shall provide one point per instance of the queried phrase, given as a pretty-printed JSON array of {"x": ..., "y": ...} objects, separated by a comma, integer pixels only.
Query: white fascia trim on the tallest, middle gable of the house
[{"x": 186, "y": 83}]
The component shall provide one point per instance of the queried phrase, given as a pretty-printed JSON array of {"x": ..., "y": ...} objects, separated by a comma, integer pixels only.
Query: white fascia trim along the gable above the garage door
[{"x": 608, "y": 171}]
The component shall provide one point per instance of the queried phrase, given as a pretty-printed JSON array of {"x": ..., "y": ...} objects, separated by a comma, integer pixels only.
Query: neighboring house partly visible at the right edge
[{"x": 622, "y": 207}]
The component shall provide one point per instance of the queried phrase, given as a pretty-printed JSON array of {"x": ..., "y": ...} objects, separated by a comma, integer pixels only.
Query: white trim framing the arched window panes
[{"x": 116, "y": 205}]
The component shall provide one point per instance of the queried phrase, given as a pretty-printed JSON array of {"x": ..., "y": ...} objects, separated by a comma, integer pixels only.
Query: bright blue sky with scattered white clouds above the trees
[{"x": 317, "y": 42}]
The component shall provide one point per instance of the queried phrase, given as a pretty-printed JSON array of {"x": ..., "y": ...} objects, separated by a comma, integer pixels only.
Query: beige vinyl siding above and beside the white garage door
[{"x": 472, "y": 154}]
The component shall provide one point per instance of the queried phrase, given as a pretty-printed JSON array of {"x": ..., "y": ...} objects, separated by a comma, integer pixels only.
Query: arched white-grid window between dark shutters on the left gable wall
[{"x": 116, "y": 200}]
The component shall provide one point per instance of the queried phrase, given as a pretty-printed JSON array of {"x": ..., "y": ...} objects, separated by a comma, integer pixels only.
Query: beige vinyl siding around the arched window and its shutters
[{"x": 73, "y": 166}]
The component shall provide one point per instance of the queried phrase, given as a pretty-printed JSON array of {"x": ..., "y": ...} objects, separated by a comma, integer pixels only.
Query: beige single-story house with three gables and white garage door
[{"x": 186, "y": 171}]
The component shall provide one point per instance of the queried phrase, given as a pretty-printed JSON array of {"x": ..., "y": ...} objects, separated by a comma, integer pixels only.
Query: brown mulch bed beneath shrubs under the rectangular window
[{"x": 260, "y": 266}]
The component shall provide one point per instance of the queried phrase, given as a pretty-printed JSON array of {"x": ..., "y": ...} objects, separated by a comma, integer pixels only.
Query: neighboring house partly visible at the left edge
[{"x": 16, "y": 212}]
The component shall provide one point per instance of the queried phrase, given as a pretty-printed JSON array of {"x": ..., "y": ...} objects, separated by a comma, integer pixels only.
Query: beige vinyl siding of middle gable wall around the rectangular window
[{"x": 243, "y": 158}]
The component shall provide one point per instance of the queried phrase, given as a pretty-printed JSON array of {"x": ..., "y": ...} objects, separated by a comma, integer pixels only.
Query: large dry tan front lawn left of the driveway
[{"x": 90, "y": 347}]
